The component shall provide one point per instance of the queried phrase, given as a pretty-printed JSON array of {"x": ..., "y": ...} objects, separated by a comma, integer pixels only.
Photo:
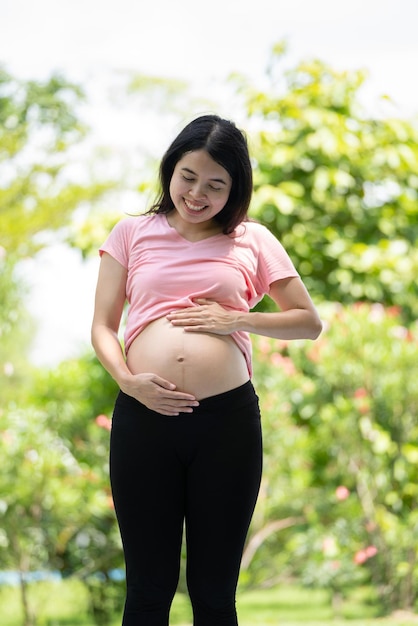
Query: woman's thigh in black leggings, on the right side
[{"x": 223, "y": 485}]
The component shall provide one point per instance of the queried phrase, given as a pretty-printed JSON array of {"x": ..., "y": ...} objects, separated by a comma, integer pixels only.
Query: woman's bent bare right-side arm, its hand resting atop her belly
[{"x": 297, "y": 318}]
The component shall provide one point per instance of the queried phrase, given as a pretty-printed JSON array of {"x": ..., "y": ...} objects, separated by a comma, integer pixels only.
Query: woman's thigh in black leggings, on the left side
[{"x": 148, "y": 486}]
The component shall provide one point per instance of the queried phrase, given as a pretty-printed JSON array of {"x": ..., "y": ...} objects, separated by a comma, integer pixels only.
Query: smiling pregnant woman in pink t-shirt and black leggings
[{"x": 186, "y": 448}]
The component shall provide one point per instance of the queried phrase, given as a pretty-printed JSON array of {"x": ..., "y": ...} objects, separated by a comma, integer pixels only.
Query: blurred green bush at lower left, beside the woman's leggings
[{"x": 40, "y": 486}]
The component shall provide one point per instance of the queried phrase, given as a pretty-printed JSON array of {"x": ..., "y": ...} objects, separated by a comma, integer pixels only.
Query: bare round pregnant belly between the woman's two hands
[{"x": 199, "y": 363}]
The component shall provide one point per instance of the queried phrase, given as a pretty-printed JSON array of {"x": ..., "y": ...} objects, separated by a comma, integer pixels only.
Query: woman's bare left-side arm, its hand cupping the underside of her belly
[{"x": 155, "y": 392}]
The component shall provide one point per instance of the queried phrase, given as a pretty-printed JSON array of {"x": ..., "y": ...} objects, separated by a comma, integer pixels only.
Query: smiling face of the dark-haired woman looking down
[{"x": 199, "y": 187}]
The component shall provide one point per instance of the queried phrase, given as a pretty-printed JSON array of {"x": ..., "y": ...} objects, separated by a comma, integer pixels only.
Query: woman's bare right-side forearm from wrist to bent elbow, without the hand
[{"x": 290, "y": 324}]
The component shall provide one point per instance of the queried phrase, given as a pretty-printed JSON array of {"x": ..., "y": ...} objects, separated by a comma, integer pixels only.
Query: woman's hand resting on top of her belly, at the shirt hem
[{"x": 206, "y": 317}]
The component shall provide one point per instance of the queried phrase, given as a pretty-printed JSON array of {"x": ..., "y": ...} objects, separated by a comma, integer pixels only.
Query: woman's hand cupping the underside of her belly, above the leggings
[{"x": 158, "y": 394}]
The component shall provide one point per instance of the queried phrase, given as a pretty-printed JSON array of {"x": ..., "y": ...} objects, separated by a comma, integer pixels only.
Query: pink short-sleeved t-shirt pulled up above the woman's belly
[{"x": 167, "y": 272}]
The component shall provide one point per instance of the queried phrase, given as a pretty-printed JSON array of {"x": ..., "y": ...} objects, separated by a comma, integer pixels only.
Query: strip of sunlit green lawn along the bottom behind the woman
[{"x": 66, "y": 604}]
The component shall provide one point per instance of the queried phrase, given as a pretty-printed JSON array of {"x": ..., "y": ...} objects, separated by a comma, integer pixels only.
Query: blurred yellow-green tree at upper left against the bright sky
[{"x": 39, "y": 193}]
